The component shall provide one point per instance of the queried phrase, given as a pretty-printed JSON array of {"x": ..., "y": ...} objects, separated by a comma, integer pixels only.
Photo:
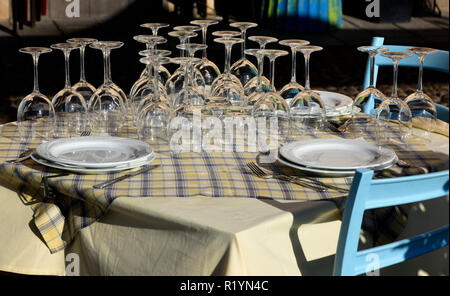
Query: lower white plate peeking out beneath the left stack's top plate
[{"x": 88, "y": 171}]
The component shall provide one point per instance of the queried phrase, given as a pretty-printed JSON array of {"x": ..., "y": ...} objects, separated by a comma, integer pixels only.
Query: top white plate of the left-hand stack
[{"x": 96, "y": 152}]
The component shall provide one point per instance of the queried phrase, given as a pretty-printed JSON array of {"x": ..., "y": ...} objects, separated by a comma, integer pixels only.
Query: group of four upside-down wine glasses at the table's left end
[{"x": 75, "y": 109}]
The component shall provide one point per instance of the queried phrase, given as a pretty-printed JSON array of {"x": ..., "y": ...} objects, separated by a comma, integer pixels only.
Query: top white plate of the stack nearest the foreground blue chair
[{"x": 337, "y": 154}]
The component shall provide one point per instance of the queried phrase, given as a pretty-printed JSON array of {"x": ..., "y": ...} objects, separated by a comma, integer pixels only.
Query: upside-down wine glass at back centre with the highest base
[{"x": 209, "y": 70}]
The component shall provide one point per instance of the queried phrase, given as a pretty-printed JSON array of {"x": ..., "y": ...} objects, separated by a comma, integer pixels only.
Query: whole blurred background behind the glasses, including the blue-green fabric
[{"x": 339, "y": 26}]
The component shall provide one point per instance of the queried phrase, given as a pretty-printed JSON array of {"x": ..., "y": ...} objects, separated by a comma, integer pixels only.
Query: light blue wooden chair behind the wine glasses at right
[{"x": 438, "y": 62}]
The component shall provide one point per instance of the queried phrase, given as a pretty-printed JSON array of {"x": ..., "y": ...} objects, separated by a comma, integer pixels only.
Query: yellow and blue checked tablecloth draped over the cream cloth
[{"x": 77, "y": 205}]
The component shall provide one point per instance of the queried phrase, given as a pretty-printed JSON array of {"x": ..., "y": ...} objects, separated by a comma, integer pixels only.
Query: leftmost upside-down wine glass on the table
[{"x": 36, "y": 114}]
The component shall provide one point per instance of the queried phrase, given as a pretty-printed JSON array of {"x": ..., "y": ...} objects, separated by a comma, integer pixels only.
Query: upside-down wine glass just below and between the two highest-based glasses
[{"x": 228, "y": 85}]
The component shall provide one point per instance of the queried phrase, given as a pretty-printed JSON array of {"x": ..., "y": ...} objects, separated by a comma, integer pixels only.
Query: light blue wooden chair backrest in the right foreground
[{"x": 367, "y": 194}]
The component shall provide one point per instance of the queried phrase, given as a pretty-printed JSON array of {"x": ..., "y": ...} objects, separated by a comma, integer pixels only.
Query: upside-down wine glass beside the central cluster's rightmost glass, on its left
[{"x": 290, "y": 90}]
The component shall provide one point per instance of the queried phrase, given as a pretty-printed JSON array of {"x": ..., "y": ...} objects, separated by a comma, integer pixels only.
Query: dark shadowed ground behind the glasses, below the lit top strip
[{"x": 340, "y": 67}]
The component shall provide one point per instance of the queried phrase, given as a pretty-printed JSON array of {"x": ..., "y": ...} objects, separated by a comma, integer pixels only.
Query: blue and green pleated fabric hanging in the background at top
[{"x": 302, "y": 15}]
